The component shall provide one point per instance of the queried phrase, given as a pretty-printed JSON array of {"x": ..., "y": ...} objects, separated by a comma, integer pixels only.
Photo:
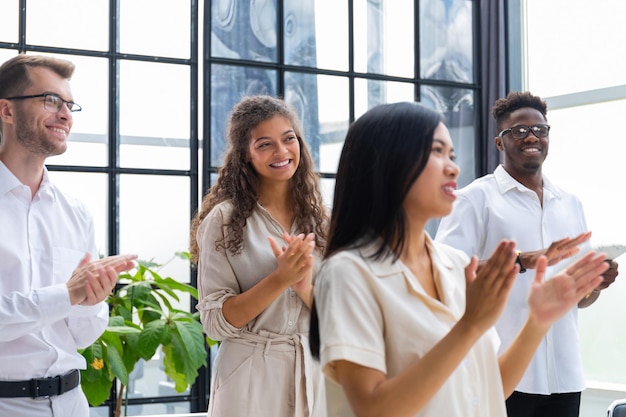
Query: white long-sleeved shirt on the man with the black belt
[{"x": 42, "y": 241}]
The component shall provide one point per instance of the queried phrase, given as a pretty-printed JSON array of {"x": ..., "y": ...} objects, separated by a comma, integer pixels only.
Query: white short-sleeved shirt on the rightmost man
[{"x": 496, "y": 207}]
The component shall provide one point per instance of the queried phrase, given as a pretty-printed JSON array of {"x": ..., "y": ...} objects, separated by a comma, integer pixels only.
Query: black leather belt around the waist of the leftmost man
[{"x": 42, "y": 387}]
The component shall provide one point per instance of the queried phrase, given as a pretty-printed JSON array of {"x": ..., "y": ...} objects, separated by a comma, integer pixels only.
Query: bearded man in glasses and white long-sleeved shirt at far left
[{"x": 52, "y": 284}]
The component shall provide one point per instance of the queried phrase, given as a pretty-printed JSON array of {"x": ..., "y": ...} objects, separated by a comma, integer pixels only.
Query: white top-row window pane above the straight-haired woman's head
[{"x": 380, "y": 27}]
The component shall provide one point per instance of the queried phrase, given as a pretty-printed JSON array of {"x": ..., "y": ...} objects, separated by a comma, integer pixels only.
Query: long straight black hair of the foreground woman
[{"x": 385, "y": 151}]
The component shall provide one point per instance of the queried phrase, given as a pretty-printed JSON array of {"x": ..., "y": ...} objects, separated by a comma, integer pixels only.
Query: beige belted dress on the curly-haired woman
[{"x": 265, "y": 367}]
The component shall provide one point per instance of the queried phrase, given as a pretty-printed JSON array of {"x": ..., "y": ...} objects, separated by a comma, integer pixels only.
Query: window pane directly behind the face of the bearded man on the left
[{"x": 87, "y": 143}]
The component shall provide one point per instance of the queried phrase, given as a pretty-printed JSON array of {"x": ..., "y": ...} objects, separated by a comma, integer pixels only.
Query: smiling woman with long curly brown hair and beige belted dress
[{"x": 255, "y": 295}]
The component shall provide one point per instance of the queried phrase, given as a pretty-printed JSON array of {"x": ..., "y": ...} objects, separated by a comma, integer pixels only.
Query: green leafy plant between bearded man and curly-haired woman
[{"x": 143, "y": 318}]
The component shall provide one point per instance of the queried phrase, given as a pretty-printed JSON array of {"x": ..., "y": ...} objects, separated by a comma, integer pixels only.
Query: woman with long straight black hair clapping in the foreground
[{"x": 405, "y": 323}]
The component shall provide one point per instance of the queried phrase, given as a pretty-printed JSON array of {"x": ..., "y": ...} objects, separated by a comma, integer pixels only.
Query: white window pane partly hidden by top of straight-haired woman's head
[{"x": 370, "y": 93}]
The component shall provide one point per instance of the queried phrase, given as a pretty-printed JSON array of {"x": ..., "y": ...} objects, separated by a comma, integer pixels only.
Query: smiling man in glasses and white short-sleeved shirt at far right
[{"x": 518, "y": 202}]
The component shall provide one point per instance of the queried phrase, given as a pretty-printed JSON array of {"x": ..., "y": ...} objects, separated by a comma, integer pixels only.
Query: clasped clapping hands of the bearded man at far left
[{"x": 92, "y": 282}]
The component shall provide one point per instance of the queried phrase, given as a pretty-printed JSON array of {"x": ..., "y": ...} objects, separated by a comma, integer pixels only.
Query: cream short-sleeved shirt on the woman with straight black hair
[{"x": 377, "y": 315}]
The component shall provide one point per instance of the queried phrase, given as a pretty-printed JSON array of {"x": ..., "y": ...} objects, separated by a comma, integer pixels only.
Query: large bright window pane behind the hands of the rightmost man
[{"x": 602, "y": 346}]
